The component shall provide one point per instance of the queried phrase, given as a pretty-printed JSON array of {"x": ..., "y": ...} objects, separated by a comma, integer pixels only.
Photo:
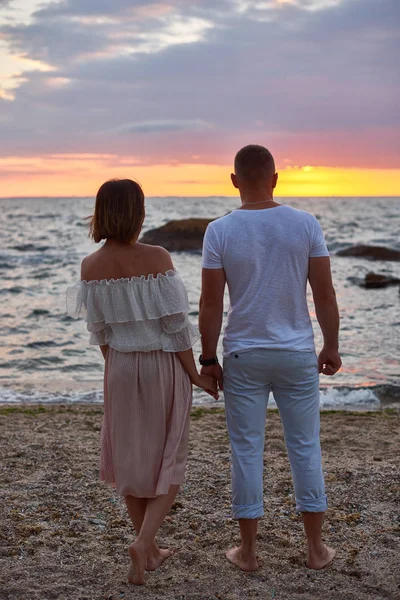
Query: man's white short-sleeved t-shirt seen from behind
[{"x": 265, "y": 255}]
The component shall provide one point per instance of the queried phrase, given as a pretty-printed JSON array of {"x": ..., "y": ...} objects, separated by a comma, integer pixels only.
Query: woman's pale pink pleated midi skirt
[{"x": 145, "y": 431}]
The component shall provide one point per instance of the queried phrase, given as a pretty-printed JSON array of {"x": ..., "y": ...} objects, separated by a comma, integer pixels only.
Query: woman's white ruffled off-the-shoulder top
[{"x": 140, "y": 314}]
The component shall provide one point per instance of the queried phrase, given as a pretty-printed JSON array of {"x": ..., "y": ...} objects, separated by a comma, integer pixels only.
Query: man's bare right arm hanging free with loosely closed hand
[{"x": 320, "y": 278}]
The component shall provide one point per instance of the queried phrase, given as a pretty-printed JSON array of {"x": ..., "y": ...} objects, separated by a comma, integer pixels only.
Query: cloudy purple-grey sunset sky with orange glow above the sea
[{"x": 167, "y": 91}]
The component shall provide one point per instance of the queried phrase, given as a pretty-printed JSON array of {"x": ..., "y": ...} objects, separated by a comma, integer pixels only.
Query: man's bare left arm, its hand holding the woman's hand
[{"x": 210, "y": 319}]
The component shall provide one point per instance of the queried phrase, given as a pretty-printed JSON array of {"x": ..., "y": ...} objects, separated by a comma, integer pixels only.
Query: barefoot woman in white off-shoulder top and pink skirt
[{"x": 136, "y": 309}]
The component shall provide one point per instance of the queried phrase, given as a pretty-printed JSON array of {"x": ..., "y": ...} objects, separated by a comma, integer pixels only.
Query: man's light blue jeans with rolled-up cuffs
[{"x": 294, "y": 380}]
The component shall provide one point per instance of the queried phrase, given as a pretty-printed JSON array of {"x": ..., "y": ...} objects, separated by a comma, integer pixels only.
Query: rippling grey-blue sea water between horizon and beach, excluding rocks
[{"x": 44, "y": 355}]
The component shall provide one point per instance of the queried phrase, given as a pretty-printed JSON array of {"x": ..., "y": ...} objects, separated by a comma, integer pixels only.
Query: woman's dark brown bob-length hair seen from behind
[{"x": 119, "y": 212}]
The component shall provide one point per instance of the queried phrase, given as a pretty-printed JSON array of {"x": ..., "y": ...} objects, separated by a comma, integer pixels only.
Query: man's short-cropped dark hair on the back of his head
[{"x": 253, "y": 163}]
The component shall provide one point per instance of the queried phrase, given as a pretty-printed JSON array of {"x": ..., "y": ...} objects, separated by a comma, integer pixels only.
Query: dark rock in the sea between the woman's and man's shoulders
[{"x": 184, "y": 235}]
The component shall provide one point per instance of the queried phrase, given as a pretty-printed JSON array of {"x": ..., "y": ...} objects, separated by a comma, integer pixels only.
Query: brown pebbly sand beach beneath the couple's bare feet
[{"x": 64, "y": 535}]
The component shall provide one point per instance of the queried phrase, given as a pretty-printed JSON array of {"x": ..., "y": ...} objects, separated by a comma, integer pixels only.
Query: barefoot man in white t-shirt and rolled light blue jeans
[{"x": 266, "y": 252}]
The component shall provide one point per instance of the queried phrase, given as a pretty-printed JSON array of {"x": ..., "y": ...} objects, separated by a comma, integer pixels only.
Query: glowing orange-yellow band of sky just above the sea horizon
[{"x": 82, "y": 174}]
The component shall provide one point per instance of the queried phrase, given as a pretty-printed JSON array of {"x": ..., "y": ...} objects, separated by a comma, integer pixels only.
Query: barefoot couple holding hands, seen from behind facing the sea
[{"x": 136, "y": 308}]
